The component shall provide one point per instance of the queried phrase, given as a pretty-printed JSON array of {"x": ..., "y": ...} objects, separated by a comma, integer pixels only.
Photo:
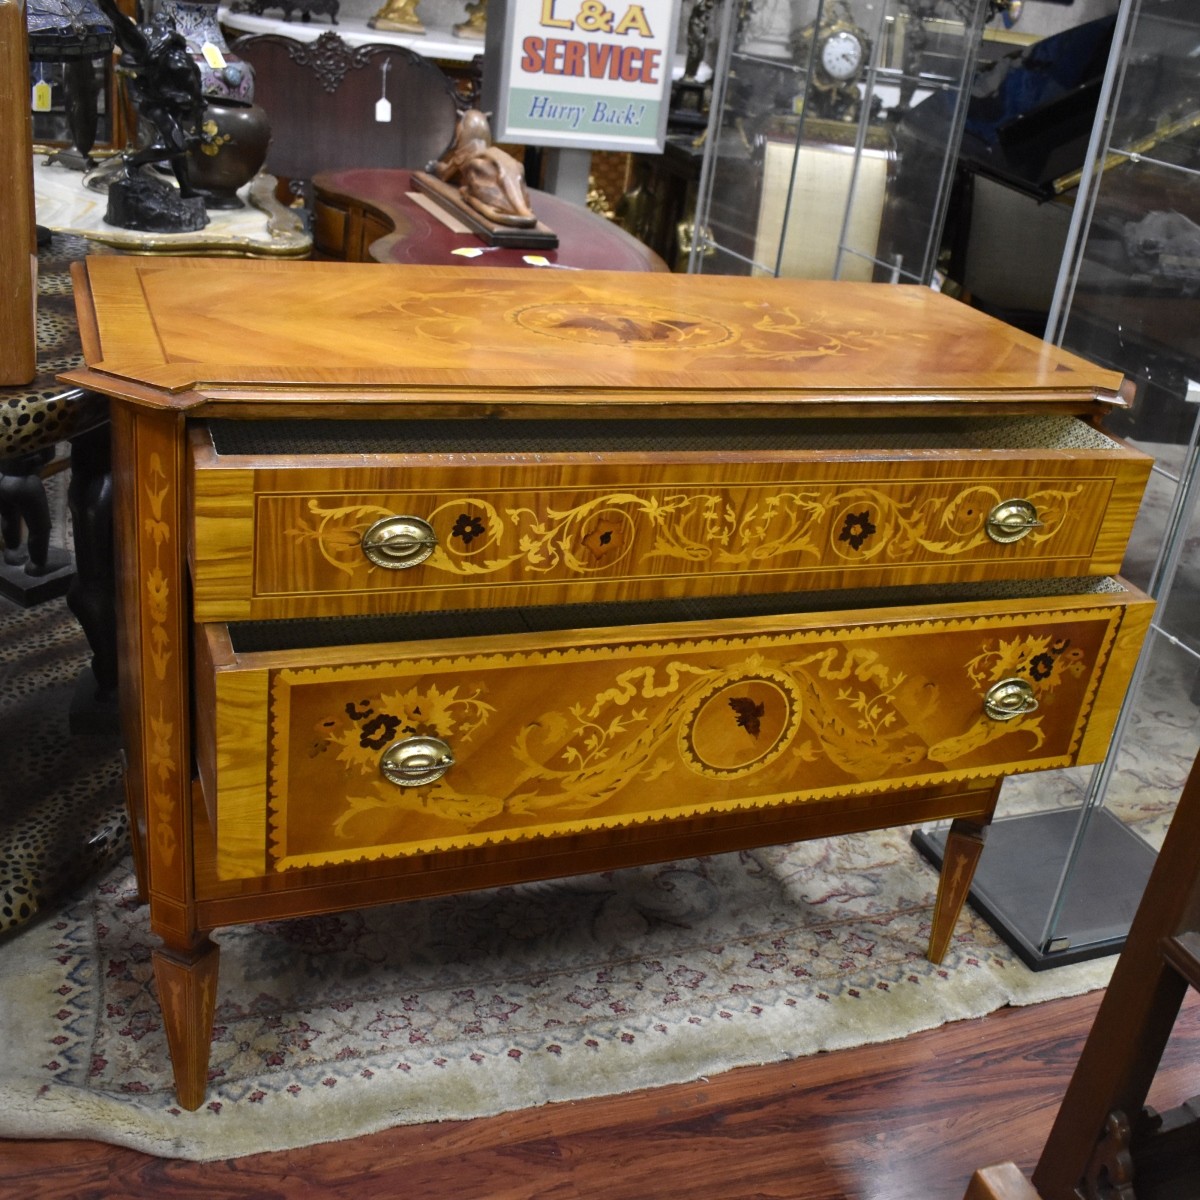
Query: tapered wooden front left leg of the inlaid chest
[{"x": 188, "y": 989}]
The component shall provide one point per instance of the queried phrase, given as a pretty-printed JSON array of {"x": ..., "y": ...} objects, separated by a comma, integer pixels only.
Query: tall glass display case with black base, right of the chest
[{"x": 1070, "y": 856}]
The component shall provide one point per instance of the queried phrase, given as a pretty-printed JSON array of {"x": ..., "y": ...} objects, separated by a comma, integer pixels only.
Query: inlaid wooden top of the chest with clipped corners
[{"x": 194, "y": 331}]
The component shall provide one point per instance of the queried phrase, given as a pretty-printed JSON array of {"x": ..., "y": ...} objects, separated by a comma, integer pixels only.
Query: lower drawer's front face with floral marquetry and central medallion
[{"x": 628, "y": 730}]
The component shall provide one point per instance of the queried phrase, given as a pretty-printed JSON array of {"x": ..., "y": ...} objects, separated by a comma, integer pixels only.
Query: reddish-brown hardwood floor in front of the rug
[{"x": 905, "y": 1121}]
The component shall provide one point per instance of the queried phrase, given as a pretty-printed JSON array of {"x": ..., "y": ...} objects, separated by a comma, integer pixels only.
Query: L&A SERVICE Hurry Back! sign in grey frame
[{"x": 587, "y": 74}]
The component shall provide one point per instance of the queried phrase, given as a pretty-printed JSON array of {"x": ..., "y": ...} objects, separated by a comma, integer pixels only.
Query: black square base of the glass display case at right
[{"x": 1018, "y": 874}]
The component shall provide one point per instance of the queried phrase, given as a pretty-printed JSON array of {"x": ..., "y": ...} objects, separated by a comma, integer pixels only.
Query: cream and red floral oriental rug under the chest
[{"x": 440, "y": 1010}]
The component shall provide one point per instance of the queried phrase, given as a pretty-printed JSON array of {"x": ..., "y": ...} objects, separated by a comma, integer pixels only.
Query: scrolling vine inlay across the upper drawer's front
[{"x": 730, "y": 530}]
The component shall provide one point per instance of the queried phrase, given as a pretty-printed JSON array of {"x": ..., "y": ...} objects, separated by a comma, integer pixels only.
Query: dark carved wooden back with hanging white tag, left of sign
[{"x": 323, "y": 103}]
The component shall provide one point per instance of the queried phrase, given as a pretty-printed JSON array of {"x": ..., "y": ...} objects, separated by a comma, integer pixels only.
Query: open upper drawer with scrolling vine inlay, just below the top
[{"x": 482, "y": 514}]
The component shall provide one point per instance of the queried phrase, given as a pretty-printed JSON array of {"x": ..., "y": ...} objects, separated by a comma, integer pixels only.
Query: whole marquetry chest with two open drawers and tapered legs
[{"x": 442, "y": 579}]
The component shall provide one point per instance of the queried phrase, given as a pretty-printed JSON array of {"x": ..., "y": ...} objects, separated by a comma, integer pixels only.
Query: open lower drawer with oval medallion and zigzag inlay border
[{"x": 325, "y": 743}]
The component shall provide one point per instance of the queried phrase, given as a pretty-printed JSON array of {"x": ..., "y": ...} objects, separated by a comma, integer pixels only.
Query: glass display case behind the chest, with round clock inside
[{"x": 831, "y": 146}]
